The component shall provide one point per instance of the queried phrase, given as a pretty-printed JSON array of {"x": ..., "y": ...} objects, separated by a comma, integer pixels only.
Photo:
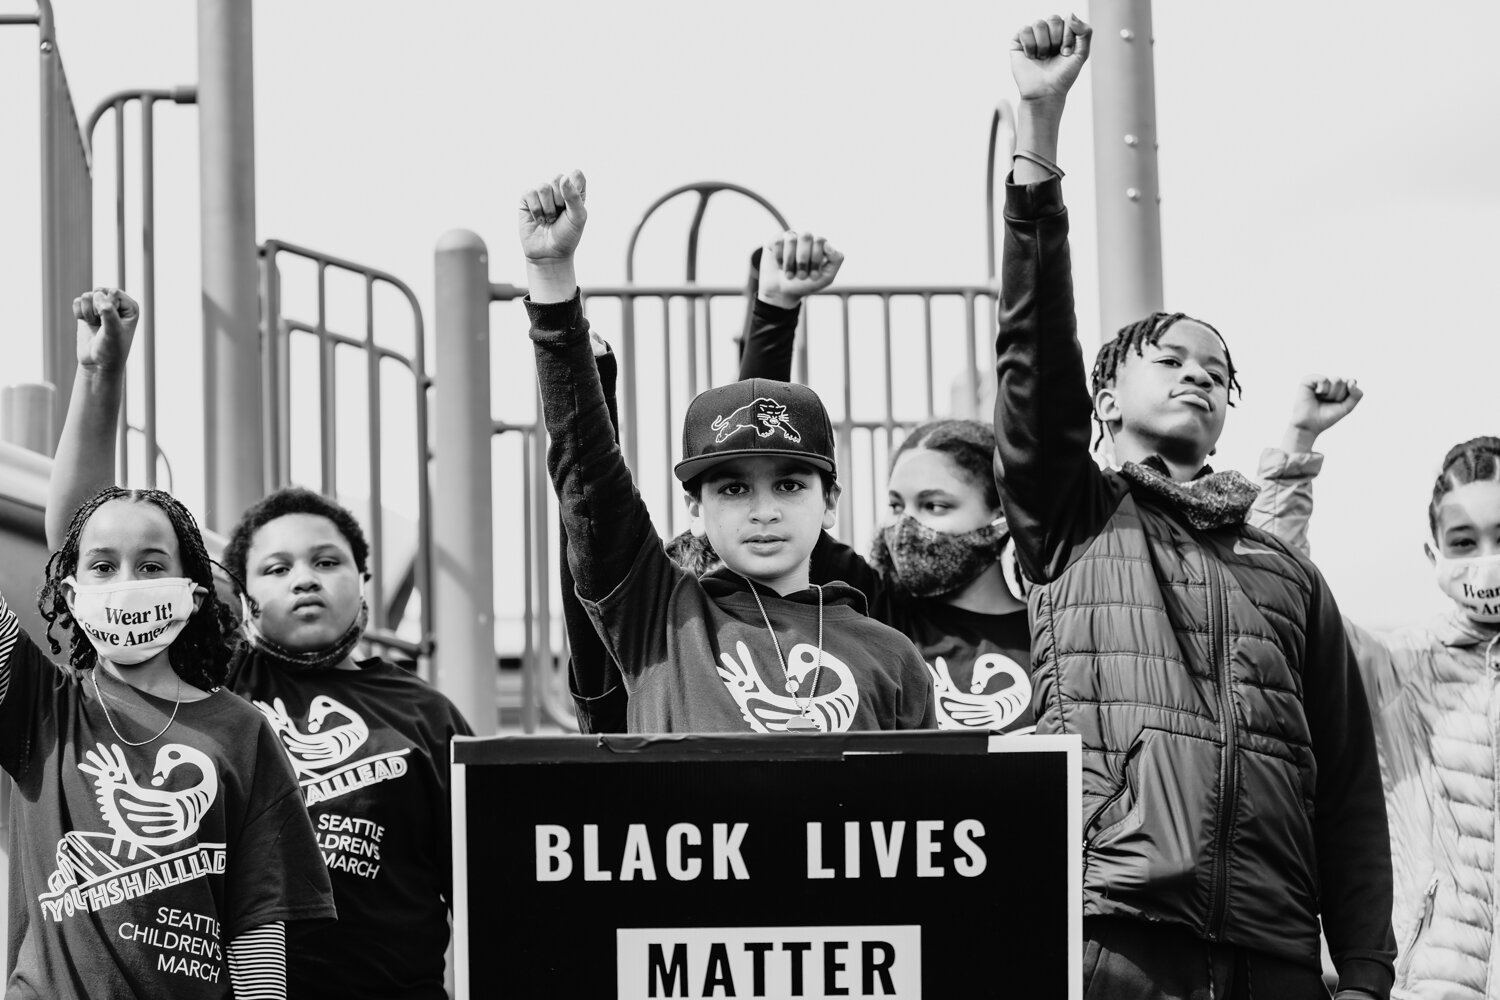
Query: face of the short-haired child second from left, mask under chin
[{"x": 302, "y": 573}]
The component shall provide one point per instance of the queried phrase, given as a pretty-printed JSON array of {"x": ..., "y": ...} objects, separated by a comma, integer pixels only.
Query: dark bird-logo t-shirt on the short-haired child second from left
[{"x": 371, "y": 753}]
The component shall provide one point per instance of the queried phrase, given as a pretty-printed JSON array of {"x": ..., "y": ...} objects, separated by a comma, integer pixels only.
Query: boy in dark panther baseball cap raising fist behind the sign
[{"x": 752, "y": 647}]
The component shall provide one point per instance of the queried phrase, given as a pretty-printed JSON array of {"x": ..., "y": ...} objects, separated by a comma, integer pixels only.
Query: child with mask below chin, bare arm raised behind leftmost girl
[{"x": 368, "y": 740}]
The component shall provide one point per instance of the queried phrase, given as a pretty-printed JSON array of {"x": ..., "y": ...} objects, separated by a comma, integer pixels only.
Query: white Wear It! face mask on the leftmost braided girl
[{"x": 131, "y": 623}]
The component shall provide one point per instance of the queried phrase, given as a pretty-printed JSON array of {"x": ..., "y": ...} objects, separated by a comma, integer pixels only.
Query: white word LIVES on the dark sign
[{"x": 886, "y": 843}]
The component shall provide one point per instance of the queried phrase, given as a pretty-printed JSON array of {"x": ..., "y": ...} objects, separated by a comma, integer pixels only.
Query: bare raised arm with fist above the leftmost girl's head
[{"x": 85, "y": 461}]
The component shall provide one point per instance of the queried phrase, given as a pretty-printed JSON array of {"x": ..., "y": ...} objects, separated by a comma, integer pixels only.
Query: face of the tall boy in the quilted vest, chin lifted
[{"x": 1172, "y": 398}]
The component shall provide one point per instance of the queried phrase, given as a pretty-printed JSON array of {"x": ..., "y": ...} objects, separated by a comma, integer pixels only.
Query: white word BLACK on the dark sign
[{"x": 682, "y": 849}]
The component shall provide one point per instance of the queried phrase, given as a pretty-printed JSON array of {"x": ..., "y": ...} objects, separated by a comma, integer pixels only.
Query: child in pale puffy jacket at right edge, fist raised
[{"x": 1433, "y": 698}]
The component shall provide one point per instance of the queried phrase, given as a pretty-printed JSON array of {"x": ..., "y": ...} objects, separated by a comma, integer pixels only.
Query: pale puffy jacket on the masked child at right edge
[{"x": 1435, "y": 692}]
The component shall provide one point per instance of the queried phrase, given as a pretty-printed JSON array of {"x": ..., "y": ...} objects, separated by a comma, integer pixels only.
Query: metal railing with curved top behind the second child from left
[{"x": 278, "y": 331}]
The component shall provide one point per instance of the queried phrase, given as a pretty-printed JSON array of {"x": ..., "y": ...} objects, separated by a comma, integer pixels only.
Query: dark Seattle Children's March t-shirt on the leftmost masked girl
[{"x": 134, "y": 867}]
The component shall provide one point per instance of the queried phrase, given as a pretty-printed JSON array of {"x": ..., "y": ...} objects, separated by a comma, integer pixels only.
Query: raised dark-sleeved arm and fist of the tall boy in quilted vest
[{"x": 1055, "y": 499}]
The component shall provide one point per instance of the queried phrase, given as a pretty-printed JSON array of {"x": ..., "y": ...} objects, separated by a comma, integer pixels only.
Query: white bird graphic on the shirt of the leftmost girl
[{"x": 151, "y": 818}]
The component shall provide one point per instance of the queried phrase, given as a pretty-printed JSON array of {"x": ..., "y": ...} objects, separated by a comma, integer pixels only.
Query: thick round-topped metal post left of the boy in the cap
[{"x": 463, "y": 534}]
